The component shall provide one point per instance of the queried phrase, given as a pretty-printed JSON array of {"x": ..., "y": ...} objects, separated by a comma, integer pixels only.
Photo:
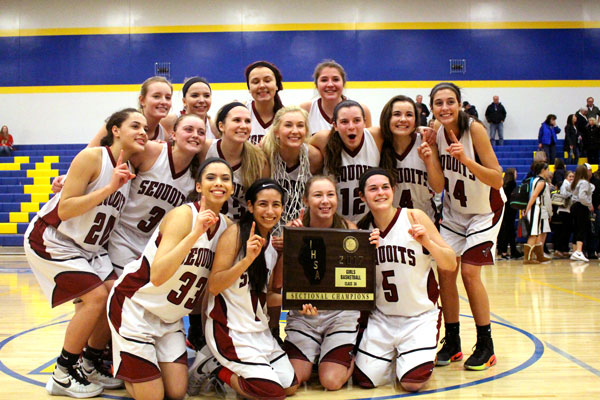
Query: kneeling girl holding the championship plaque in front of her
[{"x": 326, "y": 338}]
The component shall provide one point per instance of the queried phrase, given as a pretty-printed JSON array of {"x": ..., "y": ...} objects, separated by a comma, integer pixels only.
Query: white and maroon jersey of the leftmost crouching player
[{"x": 90, "y": 230}]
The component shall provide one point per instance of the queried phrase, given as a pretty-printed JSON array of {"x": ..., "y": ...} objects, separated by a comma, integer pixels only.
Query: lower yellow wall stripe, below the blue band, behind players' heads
[{"x": 310, "y": 85}]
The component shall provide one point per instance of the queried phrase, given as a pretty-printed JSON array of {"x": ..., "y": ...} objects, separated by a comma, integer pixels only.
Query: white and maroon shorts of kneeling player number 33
[{"x": 141, "y": 341}]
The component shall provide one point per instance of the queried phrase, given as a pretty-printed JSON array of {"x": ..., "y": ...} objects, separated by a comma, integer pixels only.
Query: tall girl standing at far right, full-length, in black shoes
[{"x": 471, "y": 218}]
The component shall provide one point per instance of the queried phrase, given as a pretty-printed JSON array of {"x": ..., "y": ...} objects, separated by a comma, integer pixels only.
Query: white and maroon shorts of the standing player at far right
[{"x": 472, "y": 236}]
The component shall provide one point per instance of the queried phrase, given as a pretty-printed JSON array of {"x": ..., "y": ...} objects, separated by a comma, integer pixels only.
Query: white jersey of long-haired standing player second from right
[{"x": 412, "y": 189}]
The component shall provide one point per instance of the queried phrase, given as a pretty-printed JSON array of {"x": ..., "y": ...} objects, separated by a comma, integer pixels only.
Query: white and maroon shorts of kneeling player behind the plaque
[{"x": 329, "y": 336}]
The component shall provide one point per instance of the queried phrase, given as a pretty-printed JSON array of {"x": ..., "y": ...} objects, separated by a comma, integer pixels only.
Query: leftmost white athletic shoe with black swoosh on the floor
[{"x": 71, "y": 382}]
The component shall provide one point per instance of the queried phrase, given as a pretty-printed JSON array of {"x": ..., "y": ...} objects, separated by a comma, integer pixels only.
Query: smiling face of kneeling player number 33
[{"x": 216, "y": 184}]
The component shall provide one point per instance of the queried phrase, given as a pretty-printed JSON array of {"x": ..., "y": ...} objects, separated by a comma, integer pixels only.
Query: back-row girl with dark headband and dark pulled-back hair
[{"x": 264, "y": 83}]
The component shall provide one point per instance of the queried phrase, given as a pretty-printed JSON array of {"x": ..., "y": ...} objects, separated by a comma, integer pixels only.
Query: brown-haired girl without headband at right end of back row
[{"x": 330, "y": 79}]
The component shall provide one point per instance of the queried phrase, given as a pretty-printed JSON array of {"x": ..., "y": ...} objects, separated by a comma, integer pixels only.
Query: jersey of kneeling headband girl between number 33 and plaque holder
[{"x": 240, "y": 308}]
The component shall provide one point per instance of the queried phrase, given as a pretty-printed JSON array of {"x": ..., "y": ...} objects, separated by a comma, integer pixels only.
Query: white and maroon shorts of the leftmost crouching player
[{"x": 76, "y": 273}]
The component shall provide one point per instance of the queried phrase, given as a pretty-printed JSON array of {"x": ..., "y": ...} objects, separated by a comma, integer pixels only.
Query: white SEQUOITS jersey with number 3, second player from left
[{"x": 153, "y": 193}]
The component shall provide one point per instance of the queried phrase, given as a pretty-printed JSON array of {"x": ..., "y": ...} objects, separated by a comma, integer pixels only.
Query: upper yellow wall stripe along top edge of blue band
[{"x": 120, "y": 30}]
